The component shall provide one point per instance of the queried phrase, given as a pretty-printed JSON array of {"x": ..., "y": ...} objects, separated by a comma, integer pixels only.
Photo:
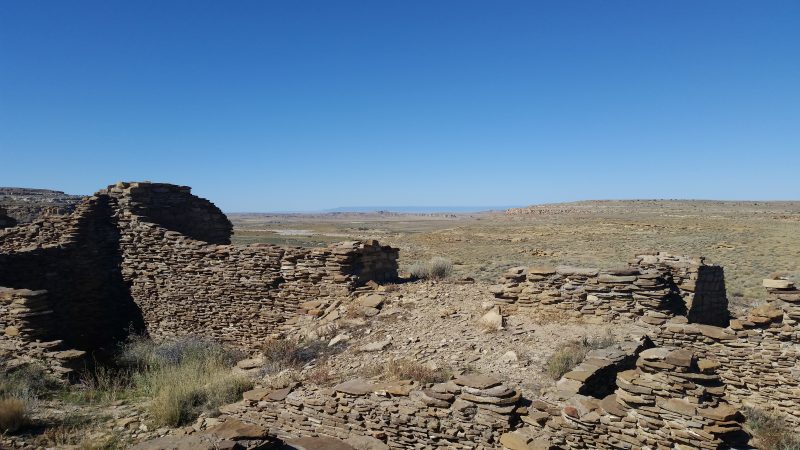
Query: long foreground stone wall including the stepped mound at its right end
[{"x": 665, "y": 398}]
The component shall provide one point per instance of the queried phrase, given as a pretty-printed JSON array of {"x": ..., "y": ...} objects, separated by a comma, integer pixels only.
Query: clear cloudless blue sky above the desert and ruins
[{"x": 302, "y": 105}]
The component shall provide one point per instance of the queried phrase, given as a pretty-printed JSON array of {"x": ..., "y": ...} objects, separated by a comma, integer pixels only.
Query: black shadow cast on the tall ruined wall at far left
[{"x": 92, "y": 307}]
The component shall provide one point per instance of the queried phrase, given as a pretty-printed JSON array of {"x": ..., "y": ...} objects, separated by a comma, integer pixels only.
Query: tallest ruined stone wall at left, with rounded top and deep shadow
[{"x": 113, "y": 266}]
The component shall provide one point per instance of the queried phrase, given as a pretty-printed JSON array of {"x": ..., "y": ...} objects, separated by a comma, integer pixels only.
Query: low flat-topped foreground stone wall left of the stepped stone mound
[{"x": 470, "y": 412}]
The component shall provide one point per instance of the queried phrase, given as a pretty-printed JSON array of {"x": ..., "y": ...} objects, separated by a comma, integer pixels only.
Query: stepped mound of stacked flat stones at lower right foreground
[{"x": 670, "y": 400}]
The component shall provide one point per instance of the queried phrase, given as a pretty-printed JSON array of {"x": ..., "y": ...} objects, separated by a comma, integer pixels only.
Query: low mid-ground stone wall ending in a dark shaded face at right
[{"x": 652, "y": 288}]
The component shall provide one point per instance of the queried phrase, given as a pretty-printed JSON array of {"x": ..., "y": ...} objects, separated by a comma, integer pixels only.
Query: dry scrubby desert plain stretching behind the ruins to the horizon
[{"x": 752, "y": 240}]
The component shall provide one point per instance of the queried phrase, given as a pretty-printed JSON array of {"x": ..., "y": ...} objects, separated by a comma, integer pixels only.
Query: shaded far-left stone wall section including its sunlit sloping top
[{"x": 77, "y": 261}]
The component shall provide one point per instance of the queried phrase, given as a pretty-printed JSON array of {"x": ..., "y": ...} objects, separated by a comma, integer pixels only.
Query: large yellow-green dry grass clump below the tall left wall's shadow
[{"x": 184, "y": 377}]
